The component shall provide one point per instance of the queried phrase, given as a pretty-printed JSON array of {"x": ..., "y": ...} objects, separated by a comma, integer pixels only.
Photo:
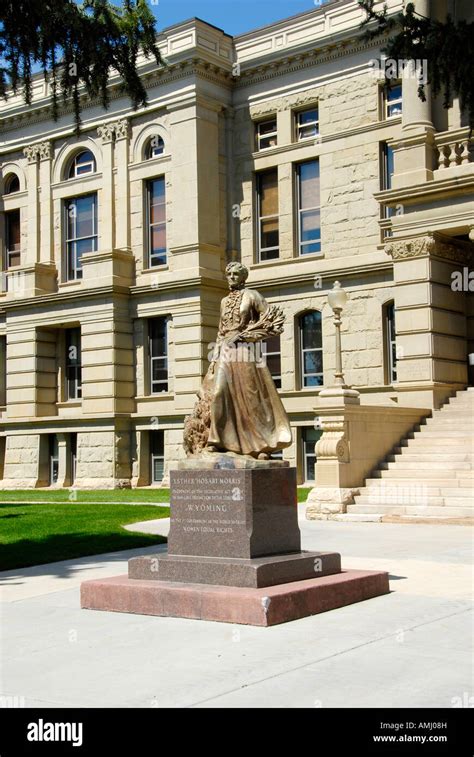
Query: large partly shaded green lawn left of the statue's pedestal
[{"x": 39, "y": 534}]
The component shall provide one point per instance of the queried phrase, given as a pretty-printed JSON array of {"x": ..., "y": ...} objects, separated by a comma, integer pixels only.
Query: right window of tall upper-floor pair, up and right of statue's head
[{"x": 309, "y": 215}]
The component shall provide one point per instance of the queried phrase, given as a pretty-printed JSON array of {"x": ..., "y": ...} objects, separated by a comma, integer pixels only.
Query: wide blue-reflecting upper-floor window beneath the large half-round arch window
[{"x": 81, "y": 234}]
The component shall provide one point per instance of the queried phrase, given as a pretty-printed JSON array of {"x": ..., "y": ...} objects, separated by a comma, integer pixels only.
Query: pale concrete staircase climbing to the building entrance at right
[{"x": 430, "y": 475}]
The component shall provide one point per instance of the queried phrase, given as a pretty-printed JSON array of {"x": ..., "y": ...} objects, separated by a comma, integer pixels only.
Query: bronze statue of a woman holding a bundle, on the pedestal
[{"x": 239, "y": 410}]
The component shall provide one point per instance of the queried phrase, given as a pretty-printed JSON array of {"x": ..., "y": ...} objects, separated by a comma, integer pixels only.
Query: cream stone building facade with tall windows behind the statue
[{"x": 283, "y": 148}]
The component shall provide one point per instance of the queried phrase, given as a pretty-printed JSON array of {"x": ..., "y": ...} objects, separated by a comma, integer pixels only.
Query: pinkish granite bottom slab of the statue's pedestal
[{"x": 256, "y": 607}]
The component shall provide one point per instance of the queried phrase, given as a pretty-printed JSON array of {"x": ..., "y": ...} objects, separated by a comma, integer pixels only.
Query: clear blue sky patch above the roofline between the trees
[{"x": 233, "y": 16}]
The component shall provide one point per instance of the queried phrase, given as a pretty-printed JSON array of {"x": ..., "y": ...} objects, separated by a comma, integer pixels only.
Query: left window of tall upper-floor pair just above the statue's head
[{"x": 267, "y": 212}]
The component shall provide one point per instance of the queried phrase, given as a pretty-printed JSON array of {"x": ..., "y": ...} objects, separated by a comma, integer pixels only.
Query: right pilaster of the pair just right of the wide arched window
[{"x": 122, "y": 191}]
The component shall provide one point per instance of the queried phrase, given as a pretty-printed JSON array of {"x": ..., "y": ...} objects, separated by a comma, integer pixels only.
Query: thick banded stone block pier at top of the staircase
[{"x": 430, "y": 317}]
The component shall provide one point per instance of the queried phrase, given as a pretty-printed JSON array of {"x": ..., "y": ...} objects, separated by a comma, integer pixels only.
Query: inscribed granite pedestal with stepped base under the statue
[{"x": 234, "y": 552}]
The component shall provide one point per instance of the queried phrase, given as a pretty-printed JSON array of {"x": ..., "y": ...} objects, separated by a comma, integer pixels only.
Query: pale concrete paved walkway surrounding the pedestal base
[{"x": 411, "y": 648}]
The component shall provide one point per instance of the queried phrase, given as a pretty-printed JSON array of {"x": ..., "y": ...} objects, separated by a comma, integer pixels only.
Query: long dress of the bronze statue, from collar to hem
[{"x": 247, "y": 415}]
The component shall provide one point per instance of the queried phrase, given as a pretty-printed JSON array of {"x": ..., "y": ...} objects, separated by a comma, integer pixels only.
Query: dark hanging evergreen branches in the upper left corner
[{"x": 78, "y": 48}]
